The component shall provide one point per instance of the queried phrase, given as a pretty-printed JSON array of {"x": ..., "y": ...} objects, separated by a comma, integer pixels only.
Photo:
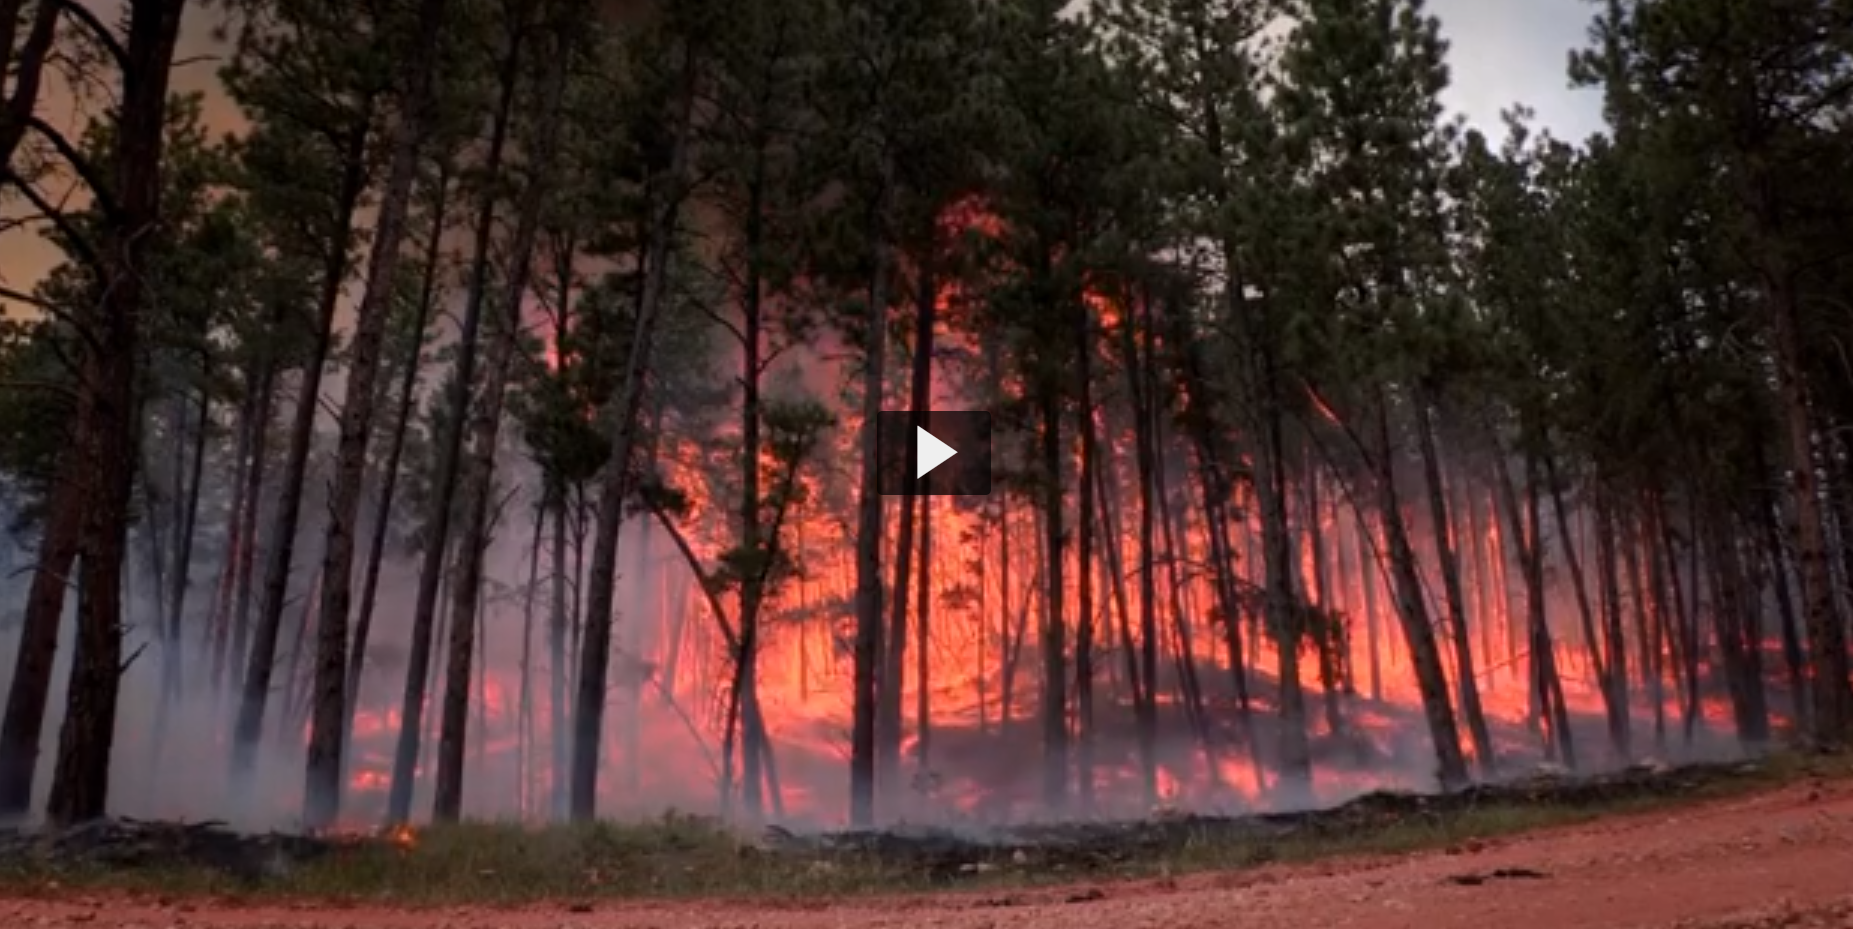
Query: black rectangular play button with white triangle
[{"x": 935, "y": 452}]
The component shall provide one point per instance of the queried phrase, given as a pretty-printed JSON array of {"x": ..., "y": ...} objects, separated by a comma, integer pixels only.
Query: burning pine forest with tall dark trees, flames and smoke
[{"x": 1346, "y": 452}]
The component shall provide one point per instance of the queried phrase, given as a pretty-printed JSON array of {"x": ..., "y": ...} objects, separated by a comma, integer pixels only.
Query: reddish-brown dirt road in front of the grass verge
[{"x": 1772, "y": 861}]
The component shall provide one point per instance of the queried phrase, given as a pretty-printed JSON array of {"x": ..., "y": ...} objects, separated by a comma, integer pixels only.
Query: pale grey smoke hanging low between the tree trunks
[{"x": 662, "y": 748}]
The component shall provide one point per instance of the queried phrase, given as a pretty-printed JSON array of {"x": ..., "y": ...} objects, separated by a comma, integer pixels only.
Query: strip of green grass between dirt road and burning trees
[{"x": 690, "y": 858}]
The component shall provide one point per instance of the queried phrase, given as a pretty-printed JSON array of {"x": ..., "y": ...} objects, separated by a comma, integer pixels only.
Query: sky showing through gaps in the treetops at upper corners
[{"x": 1500, "y": 53}]
